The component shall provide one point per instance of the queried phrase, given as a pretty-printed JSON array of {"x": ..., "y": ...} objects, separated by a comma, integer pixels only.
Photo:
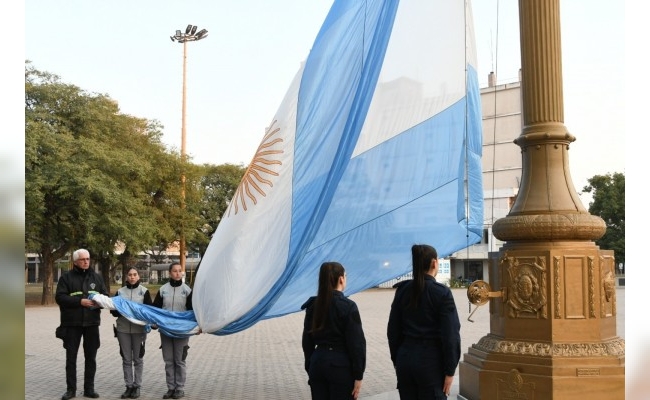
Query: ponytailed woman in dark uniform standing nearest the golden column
[{"x": 424, "y": 331}]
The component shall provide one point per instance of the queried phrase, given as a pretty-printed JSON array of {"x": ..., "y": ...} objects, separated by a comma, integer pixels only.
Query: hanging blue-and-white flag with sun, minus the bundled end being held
[{"x": 375, "y": 147}]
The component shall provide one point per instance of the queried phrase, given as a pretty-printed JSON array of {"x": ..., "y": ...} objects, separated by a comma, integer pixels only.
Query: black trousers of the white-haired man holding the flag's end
[{"x": 90, "y": 335}]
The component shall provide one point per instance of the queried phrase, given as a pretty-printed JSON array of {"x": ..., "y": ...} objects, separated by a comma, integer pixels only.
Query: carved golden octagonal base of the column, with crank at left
[{"x": 552, "y": 326}]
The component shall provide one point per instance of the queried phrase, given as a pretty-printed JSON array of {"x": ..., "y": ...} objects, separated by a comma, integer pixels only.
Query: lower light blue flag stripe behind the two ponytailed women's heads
[{"x": 371, "y": 236}]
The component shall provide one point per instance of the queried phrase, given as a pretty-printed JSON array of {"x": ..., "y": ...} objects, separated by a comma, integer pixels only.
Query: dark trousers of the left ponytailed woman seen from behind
[{"x": 330, "y": 375}]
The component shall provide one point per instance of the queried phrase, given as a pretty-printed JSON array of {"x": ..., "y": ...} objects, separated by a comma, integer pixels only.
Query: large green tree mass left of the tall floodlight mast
[{"x": 92, "y": 175}]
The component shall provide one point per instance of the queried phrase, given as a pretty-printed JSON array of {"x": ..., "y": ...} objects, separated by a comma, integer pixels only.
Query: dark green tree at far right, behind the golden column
[{"x": 608, "y": 193}]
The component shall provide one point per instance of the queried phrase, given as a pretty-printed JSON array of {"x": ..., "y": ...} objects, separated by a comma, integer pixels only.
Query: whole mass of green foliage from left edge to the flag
[{"x": 100, "y": 179}]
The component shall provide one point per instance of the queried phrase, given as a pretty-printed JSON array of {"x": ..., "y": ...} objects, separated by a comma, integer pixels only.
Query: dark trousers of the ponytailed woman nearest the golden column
[{"x": 419, "y": 372}]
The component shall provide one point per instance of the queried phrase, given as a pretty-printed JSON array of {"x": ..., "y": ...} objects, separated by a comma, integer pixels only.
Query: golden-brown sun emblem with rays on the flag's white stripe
[{"x": 257, "y": 172}]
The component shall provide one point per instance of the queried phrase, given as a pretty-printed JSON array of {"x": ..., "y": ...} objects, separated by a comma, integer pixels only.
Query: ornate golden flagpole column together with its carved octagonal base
[{"x": 553, "y": 314}]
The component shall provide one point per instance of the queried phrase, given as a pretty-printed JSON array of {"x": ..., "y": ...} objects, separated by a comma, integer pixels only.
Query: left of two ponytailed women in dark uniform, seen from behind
[{"x": 332, "y": 339}]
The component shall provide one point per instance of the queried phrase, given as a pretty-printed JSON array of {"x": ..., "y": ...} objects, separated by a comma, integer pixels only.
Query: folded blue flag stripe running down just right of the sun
[{"x": 340, "y": 76}]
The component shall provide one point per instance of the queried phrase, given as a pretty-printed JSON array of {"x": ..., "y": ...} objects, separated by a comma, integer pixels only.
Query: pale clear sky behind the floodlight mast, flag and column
[{"x": 238, "y": 75}]
